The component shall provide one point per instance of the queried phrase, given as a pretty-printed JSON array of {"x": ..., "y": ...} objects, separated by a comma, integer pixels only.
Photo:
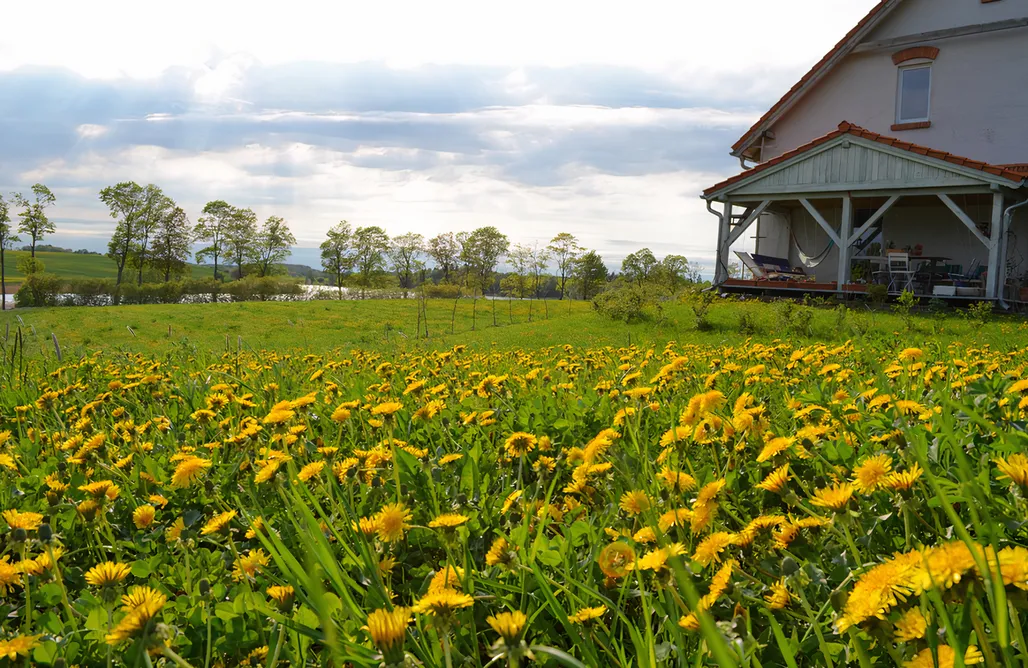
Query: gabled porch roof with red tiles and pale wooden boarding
[{"x": 830, "y": 165}]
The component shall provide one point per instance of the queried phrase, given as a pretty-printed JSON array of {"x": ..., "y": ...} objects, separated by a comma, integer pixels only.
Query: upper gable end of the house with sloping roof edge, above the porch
[{"x": 858, "y": 80}]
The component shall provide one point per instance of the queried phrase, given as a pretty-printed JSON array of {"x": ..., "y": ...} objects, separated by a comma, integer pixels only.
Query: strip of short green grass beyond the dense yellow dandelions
[{"x": 389, "y": 325}]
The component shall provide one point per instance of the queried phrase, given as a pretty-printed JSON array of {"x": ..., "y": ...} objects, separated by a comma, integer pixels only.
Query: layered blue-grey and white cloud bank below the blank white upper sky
[{"x": 594, "y": 152}]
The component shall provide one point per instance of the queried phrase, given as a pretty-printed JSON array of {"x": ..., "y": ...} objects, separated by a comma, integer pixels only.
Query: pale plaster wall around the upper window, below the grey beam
[{"x": 979, "y": 96}]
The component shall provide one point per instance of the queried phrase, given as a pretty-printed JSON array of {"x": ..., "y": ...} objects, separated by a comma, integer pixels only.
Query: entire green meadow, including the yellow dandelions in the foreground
[{"x": 316, "y": 485}]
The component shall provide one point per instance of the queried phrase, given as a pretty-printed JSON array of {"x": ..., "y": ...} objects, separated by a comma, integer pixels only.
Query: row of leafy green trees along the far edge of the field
[{"x": 154, "y": 234}]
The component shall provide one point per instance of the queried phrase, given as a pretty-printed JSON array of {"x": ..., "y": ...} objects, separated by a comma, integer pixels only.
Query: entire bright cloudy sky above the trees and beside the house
[{"x": 603, "y": 120}]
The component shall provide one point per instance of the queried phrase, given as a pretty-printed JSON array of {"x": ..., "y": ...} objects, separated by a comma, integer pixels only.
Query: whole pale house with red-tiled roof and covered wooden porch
[{"x": 911, "y": 134}]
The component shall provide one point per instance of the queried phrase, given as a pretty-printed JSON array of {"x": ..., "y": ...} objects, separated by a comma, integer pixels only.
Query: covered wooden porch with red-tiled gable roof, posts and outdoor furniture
[{"x": 855, "y": 209}]
